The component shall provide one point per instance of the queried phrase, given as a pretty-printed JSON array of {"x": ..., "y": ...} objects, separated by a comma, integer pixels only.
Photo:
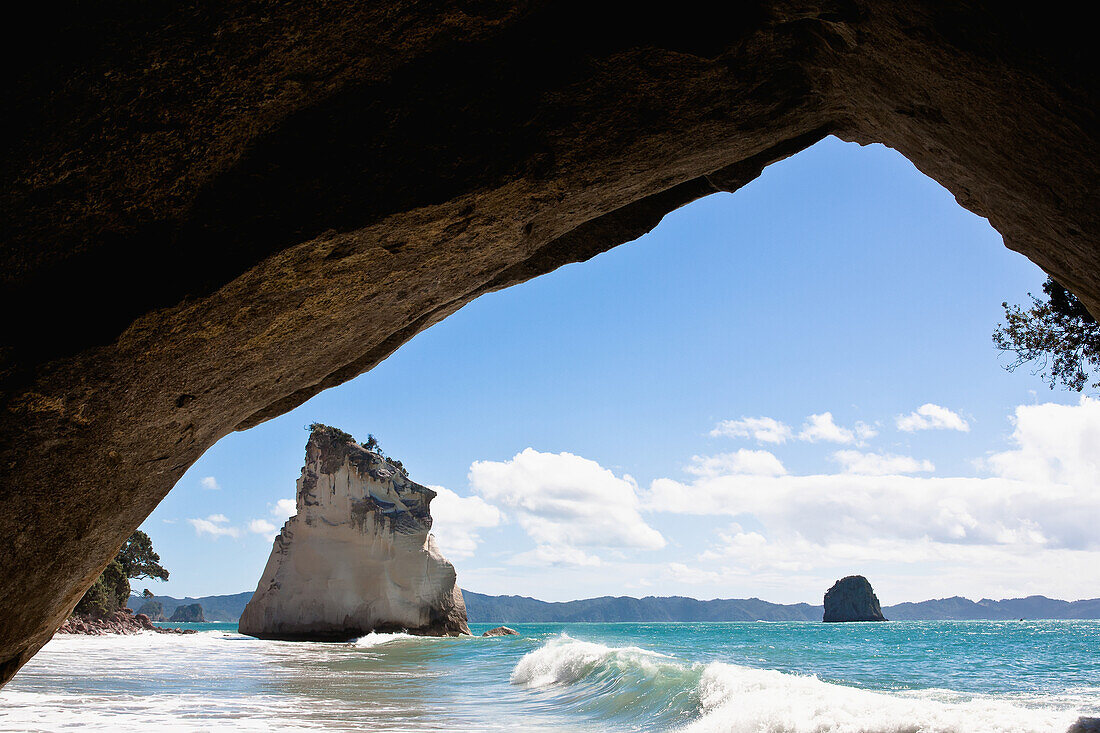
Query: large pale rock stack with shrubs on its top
[{"x": 357, "y": 557}]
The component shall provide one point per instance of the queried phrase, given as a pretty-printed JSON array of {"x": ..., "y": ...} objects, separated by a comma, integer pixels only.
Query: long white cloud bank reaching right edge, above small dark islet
[{"x": 1041, "y": 496}]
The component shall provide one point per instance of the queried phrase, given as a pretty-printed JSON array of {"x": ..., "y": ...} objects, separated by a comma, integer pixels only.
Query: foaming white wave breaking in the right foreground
[{"x": 631, "y": 683}]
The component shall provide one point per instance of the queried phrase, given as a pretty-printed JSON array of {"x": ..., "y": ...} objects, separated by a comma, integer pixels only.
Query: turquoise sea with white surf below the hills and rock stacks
[{"x": 899, "y": 676}]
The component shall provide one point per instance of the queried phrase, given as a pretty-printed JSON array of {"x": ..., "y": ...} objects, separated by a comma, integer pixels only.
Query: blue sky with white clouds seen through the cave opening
[{"x": 843, "y": 281}]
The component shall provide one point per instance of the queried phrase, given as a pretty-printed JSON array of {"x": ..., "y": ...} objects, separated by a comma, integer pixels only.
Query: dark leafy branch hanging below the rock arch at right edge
[{"x": 1059, "y": 335}]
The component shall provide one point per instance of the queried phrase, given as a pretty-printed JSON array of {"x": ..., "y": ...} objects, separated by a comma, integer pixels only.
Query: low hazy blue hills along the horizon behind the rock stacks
[{"x": 609, "y": 609}]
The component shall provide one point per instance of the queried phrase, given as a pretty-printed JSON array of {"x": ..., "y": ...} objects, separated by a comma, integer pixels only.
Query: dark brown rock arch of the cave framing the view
[{"x": 214, "y": 211}]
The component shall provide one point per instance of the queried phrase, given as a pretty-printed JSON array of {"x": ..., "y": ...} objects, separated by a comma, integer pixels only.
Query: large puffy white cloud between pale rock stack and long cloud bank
[{"x": 566, "y": 501}]
